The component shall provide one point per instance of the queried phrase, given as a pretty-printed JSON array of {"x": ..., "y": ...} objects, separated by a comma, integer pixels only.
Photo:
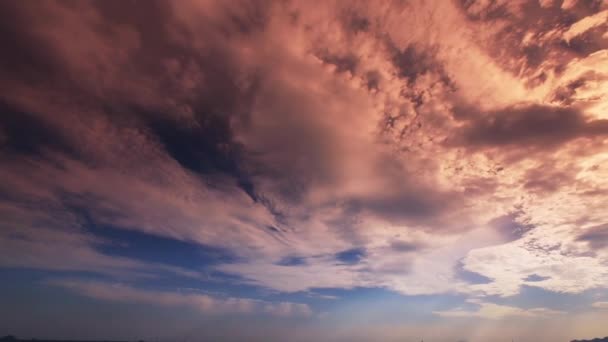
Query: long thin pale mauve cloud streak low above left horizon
[{"x": 204, "y": 303}]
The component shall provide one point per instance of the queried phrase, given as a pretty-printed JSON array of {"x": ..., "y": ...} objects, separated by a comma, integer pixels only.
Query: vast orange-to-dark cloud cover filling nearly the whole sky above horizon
[{"x": 376, "y": 145}]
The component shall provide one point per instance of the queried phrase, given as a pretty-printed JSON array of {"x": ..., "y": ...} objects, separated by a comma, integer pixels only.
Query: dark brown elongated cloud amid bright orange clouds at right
[{"x": 532, "y": 126}]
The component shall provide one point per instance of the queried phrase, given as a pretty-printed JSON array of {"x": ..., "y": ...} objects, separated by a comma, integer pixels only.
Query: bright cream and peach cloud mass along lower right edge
[{"x": 564, "y": 246}]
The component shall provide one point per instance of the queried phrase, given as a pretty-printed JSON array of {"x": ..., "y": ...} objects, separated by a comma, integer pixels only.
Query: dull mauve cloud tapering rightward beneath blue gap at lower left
[{"x": 42, "y": 240}]
